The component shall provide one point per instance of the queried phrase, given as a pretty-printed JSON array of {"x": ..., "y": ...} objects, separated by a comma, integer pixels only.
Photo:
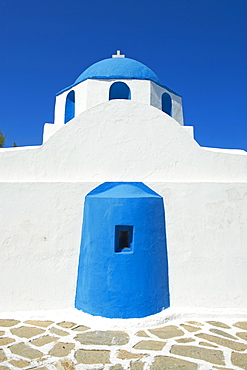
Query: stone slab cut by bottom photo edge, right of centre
[{"x": 171, "y": 363}]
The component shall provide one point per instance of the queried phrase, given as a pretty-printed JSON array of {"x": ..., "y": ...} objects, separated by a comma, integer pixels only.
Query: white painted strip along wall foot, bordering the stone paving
[{"x": 101, "y": 323}]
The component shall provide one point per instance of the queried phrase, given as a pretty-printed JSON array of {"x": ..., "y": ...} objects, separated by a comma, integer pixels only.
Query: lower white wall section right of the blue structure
[{"x": 206, "y": 238}]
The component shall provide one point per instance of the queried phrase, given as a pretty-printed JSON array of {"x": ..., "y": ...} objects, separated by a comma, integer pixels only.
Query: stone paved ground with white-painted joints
[{"x": 190, "y": 345}]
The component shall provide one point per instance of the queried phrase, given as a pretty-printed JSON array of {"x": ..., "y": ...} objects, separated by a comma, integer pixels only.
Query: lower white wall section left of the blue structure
[{"x": 40, "y": 245}]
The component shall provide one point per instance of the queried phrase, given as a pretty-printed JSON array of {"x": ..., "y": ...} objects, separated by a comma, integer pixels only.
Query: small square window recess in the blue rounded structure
[{"x": 123, "y": 238}]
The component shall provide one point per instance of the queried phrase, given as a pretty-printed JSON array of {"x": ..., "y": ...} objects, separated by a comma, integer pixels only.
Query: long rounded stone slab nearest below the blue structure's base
[{"x": 108, "y": 338}]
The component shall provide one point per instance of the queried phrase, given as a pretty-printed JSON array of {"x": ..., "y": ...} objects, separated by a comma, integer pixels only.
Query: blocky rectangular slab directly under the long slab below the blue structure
[{"x": 91, "y": 356}]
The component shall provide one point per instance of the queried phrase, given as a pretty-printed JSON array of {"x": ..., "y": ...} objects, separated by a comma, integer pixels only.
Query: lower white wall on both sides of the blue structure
[{"x": 41, "y": 233}]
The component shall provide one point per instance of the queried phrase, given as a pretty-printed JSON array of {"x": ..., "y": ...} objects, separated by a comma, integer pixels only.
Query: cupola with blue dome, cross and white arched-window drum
[{"x": 114, "y": 78}]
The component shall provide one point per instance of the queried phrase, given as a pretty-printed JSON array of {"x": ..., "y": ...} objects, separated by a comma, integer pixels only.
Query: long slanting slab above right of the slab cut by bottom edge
[{"x": 210, "y": 355}]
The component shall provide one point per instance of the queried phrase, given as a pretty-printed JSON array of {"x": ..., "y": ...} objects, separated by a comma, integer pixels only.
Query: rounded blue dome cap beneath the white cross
[{"x": 118, "y": 68}]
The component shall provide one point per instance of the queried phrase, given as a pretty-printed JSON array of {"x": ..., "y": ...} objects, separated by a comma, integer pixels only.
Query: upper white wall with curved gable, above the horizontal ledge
[{"x": 122, "y": 141}]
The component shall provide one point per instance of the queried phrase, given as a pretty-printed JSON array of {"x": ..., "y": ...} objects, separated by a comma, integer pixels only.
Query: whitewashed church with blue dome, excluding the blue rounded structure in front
[{"x": 118, "y": 123}]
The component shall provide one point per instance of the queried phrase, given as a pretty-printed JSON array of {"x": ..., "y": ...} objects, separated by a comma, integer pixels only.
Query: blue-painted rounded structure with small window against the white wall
[{"x": 123, "y": 268}]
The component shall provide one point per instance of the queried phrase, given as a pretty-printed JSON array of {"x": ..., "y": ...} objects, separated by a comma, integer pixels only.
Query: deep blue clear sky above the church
[{"x": 197, "y": 48}]
